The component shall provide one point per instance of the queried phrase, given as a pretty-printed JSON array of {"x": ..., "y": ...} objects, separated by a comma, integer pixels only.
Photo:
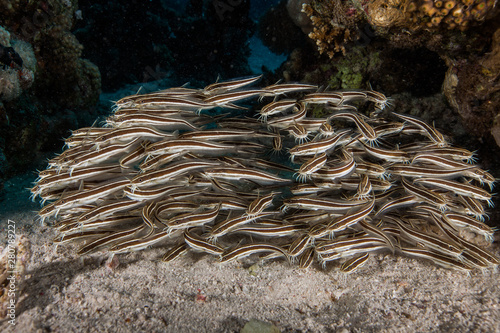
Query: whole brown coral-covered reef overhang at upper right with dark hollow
[{"x": 416, "y": 42}]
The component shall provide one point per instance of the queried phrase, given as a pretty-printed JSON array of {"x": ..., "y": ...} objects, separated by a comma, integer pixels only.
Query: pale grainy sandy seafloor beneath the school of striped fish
[{"x": 67, "y": 293}]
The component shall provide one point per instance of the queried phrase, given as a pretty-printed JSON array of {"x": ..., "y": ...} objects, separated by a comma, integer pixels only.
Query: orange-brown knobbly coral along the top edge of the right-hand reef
[{"x": 336, "y": 22}]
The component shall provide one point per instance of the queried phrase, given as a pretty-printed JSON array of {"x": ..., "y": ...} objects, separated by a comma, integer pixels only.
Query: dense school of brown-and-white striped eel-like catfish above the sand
[{"x": 168, "y": 170}]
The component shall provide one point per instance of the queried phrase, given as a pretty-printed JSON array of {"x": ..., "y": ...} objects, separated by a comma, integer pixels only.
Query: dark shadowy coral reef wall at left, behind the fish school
[{"x": 43, "y": 78}]
